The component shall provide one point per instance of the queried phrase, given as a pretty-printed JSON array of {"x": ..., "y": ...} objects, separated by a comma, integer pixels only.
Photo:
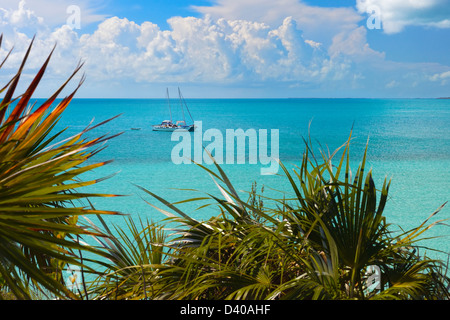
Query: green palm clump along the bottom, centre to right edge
[{"x": 329, "y": 241}]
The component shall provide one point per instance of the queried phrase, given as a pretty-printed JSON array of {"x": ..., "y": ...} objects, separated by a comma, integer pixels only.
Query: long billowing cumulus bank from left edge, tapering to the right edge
[{"x": 212, "y": 50}]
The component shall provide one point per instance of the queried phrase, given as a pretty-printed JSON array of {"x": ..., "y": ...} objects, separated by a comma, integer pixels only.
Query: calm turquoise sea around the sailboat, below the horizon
[{"x": 409, "y": 141}]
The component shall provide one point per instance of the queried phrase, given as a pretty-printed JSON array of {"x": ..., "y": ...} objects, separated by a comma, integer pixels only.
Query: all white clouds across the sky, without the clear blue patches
[{"x": 289, "y": 48}]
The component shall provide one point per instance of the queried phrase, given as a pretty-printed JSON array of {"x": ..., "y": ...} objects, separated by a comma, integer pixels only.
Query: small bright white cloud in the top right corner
[{"x": 398, "y": 14}]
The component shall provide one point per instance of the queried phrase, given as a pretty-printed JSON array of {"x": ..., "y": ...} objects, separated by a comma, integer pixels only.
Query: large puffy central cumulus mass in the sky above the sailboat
[{"x": 199, "y": 50}]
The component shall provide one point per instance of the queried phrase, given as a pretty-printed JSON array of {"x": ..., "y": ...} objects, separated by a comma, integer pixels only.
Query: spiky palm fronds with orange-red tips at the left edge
[{"x": 39, "y": 234}]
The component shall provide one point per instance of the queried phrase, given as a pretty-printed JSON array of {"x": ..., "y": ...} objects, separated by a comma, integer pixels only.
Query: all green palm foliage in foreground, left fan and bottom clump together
[{"x": 326, "y": 239}]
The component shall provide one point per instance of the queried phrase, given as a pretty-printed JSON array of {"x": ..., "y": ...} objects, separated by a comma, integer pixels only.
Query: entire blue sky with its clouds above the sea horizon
[{"x": 236, "y": 48}]
